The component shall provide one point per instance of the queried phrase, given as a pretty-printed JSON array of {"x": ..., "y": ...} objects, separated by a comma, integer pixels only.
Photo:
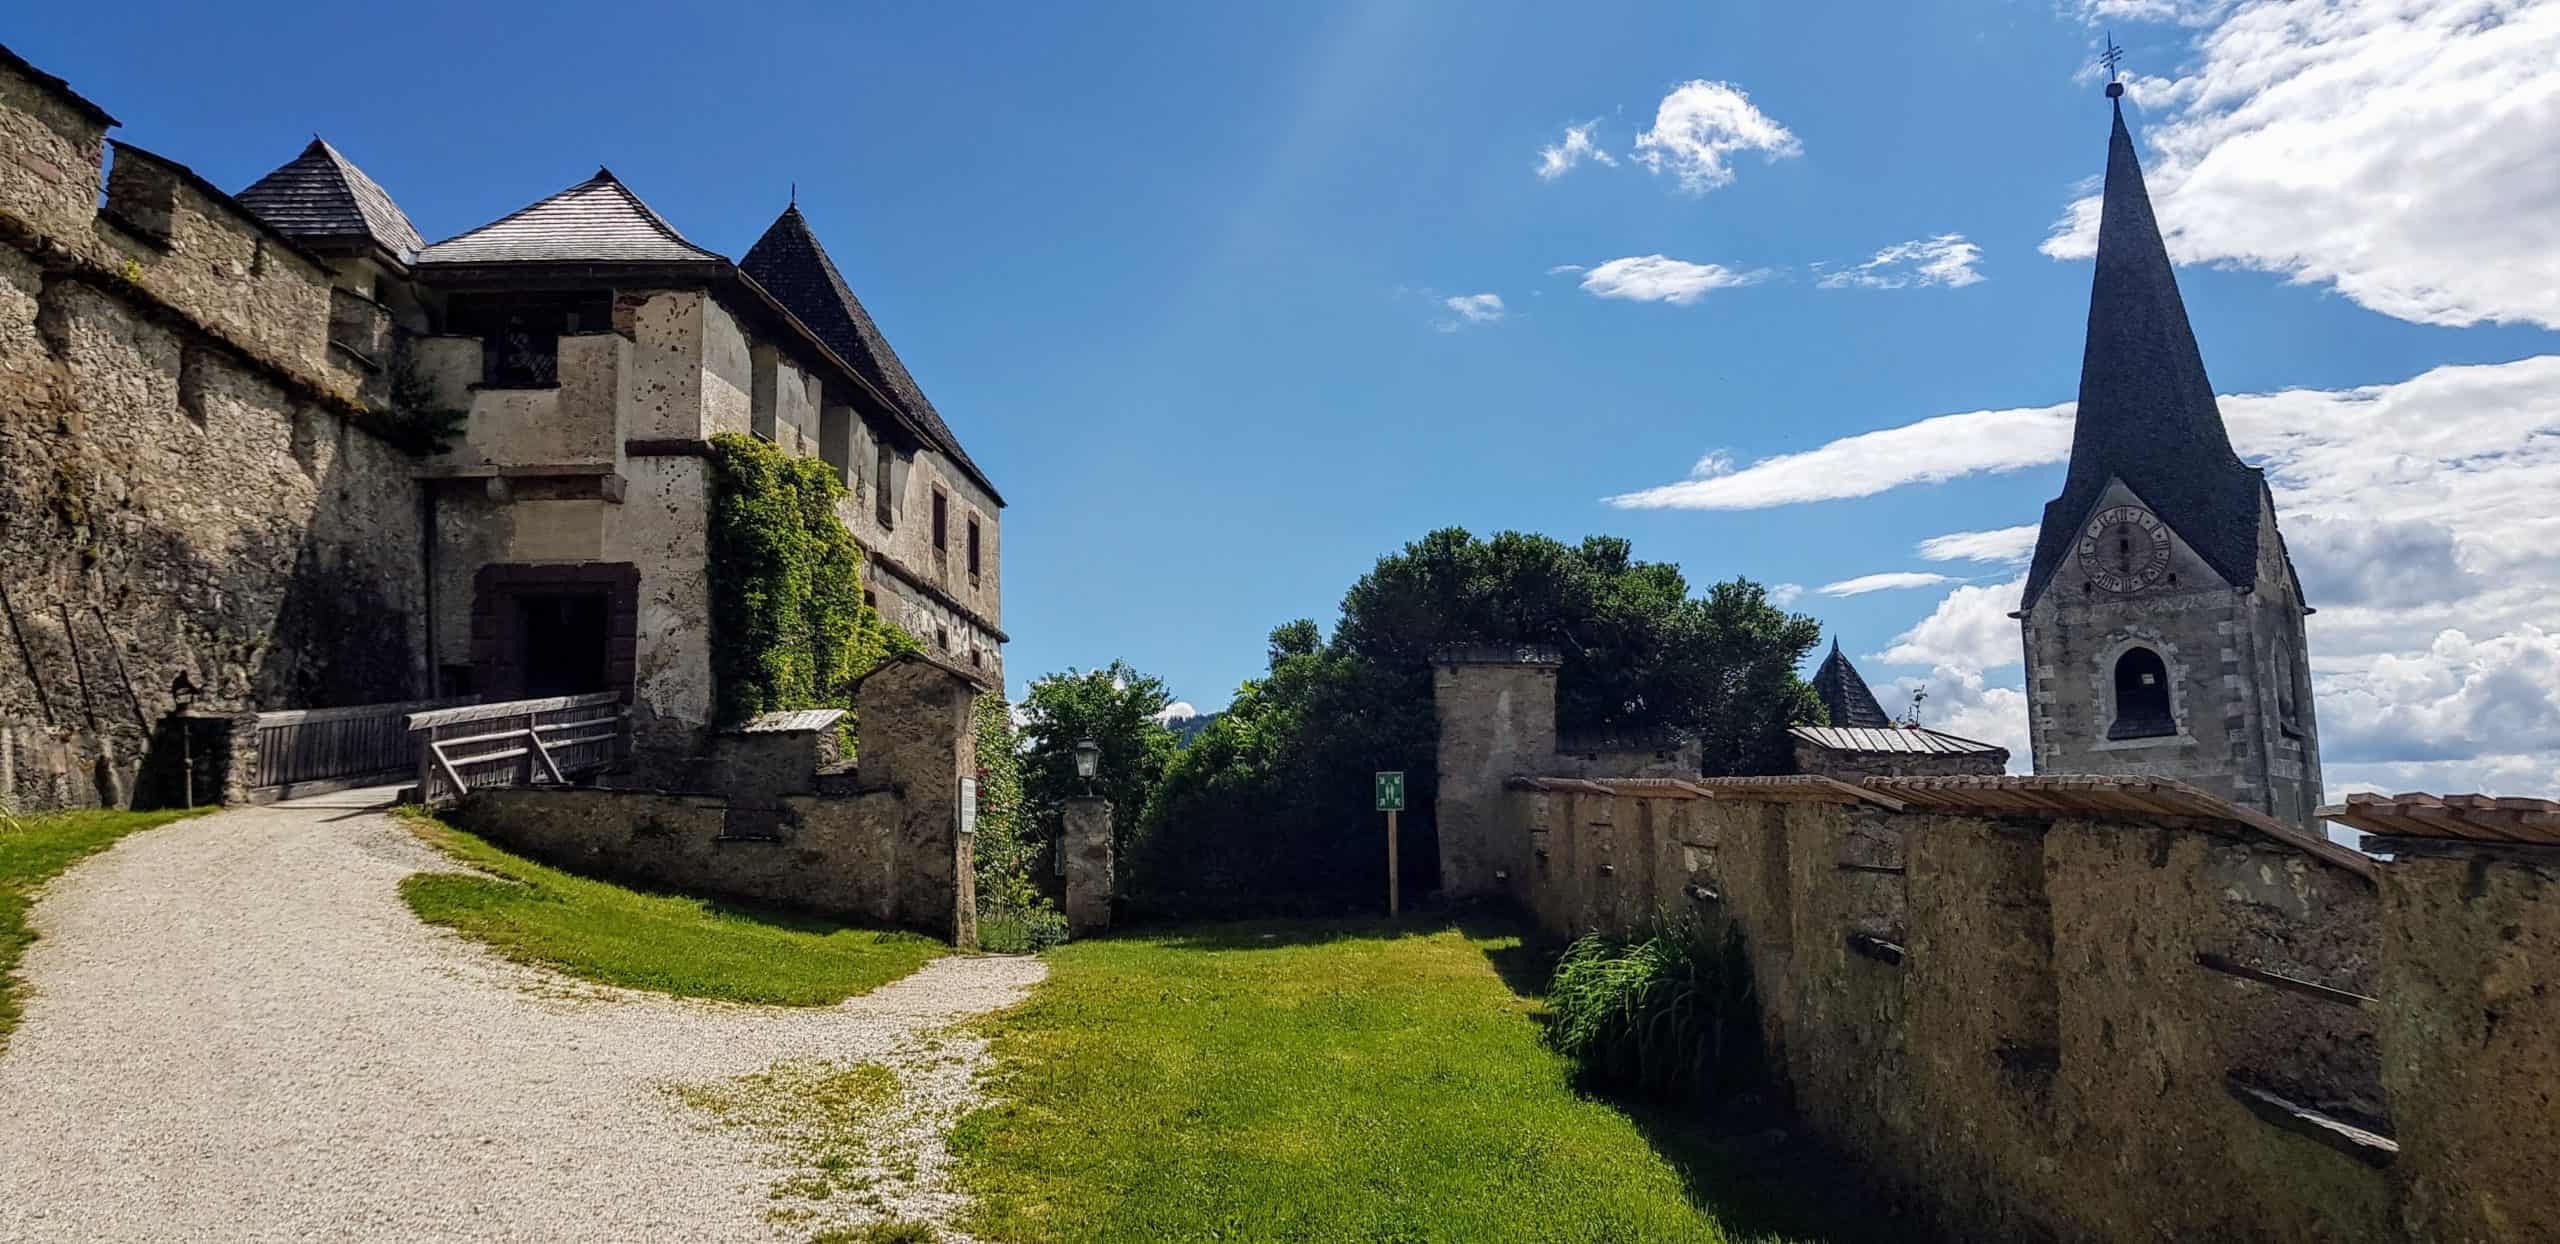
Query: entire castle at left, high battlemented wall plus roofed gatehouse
[{"x": 224, "y": 495}]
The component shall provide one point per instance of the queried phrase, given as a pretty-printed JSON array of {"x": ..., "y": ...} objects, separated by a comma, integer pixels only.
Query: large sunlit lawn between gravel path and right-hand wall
[{"x": 1335, "y": 1084}]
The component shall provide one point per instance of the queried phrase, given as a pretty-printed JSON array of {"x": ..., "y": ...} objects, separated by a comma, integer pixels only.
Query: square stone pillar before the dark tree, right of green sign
[{"x": 1499, "y": 718}]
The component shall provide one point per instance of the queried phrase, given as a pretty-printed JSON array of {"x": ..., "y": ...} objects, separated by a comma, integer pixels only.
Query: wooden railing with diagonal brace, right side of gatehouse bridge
[{"x": 516, "y": 744}]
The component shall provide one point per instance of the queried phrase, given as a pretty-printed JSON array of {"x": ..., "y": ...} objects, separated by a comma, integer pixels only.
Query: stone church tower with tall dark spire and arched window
[{"x": 2162, "y": 613}]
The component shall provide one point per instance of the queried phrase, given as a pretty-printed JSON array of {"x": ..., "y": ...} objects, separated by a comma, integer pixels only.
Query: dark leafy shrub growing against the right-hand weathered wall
[{"x": 1665, "y": 1017}]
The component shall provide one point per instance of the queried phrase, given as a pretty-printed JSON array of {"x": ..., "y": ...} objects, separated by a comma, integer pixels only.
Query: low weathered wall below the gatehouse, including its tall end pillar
[{"x": 882, "y": 843}]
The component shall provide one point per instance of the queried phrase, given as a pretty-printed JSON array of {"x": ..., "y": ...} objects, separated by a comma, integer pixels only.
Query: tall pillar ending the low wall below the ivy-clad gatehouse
[{"x": 920, "y": 738}]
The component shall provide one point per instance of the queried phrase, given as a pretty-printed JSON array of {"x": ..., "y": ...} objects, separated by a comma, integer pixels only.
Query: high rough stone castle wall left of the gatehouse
[{"x": 186, "y": 477}]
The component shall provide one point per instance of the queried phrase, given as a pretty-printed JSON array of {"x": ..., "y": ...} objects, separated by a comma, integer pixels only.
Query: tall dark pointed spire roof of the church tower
[{"x": 2147, "y": 413}]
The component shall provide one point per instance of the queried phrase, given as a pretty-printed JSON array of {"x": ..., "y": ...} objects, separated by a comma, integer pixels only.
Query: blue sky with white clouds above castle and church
[{"x": 1181, "y": 280}]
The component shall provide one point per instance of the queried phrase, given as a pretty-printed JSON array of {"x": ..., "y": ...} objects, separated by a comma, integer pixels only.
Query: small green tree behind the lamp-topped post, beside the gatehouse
[{"x": 1115, "y": 708}]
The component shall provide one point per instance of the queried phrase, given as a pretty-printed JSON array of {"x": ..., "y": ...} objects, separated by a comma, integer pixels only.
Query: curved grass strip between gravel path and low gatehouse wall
[{"x": 667, "y": 943}]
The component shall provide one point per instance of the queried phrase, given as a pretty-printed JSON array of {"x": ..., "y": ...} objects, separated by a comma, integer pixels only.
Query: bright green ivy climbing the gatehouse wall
[{"x": 790, "y": 628}]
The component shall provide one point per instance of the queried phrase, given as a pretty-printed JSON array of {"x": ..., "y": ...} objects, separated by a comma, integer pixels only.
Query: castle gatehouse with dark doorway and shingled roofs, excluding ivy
[{"x": 593, "y": 352}]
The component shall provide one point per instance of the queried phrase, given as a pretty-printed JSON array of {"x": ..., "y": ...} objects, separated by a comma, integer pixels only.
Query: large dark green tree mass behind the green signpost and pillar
[{"x": 1276, "y": 795}]
